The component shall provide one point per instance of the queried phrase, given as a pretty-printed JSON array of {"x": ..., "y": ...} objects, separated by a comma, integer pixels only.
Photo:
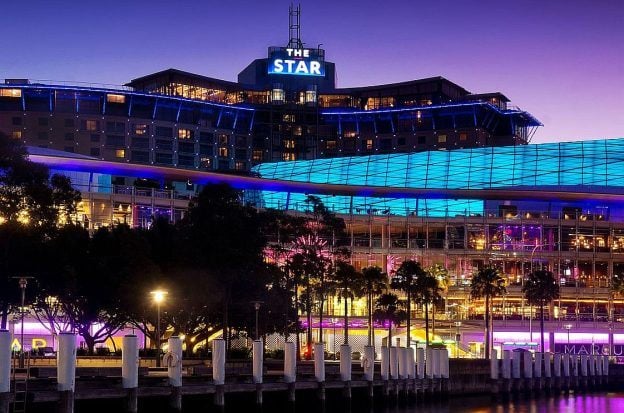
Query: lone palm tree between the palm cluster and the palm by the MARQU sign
[{"x": 487, "y": 283}]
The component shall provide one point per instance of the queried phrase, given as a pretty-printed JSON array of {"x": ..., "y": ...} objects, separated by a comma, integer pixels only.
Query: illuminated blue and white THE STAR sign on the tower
[{"x": 299, "y": 62}]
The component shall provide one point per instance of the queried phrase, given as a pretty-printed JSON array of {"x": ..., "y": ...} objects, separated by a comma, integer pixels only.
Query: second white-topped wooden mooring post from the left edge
[{"x": 66, "y": 371}]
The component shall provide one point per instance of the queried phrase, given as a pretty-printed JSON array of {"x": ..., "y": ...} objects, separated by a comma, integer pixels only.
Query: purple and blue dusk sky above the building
[{"x": 561, "y": 60}]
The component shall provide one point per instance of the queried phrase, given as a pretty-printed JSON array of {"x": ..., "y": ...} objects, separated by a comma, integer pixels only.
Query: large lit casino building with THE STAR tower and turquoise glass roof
[{"x": 422, "y": 169}]
